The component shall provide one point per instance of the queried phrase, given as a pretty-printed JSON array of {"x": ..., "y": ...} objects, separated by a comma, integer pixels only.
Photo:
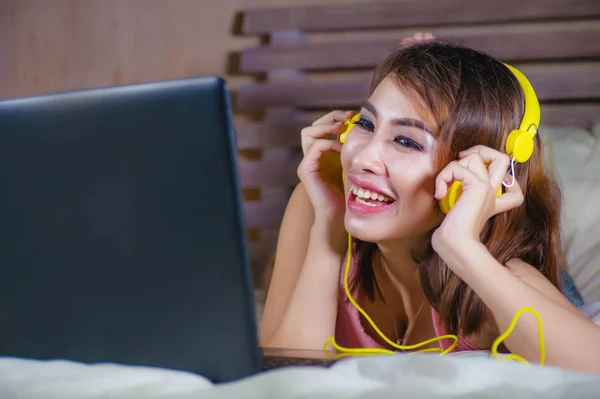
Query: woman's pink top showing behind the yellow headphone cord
[{"x": 350, "y": 333}]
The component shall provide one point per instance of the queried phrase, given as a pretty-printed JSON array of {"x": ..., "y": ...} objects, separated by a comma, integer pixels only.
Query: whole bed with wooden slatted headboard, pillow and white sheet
[{"x": 306, "y": 64}]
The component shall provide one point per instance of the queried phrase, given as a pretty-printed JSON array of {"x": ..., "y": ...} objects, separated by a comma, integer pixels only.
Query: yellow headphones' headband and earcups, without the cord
[{"x": 519, "y": 144}]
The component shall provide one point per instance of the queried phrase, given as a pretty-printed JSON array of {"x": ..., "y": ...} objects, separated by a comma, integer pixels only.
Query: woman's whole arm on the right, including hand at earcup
[{"x": 570, "y": 339}]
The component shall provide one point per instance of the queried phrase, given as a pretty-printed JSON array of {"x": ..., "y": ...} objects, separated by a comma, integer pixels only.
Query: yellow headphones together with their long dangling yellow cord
[{"x": 519, "y": 146}]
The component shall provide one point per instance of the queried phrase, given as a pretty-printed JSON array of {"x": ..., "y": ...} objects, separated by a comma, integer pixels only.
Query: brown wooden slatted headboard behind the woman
[{"x": 315, "y": 59}]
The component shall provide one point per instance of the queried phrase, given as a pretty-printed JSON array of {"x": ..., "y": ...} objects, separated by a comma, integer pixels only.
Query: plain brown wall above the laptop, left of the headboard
[{"x": 58, "y": 45}]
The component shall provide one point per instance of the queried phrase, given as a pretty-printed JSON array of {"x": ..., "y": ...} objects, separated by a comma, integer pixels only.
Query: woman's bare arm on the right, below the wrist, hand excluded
[{"x": 571, "y": 340}]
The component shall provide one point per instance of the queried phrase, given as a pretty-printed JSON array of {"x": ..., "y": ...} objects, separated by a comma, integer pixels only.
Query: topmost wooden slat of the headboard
[{"x": 413, "y": 13}]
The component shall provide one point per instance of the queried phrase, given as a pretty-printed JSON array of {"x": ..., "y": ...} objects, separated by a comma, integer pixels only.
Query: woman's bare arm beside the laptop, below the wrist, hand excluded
[{"x": 301, "y": 306}]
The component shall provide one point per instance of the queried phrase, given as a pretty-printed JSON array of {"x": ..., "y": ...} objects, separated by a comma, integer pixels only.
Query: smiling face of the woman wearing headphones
[{"x": 389, "y": 172}]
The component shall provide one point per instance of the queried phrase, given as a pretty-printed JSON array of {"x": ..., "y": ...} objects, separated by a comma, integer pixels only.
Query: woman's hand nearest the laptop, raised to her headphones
[{"x": 320, "y": 170}]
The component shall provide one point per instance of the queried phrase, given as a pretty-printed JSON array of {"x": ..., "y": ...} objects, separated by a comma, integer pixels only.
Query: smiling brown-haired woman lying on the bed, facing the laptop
[{"x": 436, "y": 113}]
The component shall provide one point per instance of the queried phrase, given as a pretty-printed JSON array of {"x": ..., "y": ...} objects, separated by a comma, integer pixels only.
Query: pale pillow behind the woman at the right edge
[{"x": 573, "y": 157}]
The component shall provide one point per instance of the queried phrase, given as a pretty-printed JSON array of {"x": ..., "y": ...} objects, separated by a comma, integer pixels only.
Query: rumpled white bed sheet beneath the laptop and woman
[{"x": 464, "y": 375}]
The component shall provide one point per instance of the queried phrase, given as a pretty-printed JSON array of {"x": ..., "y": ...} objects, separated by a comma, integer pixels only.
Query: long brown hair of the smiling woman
[{"x": 471, "y": 98}]
